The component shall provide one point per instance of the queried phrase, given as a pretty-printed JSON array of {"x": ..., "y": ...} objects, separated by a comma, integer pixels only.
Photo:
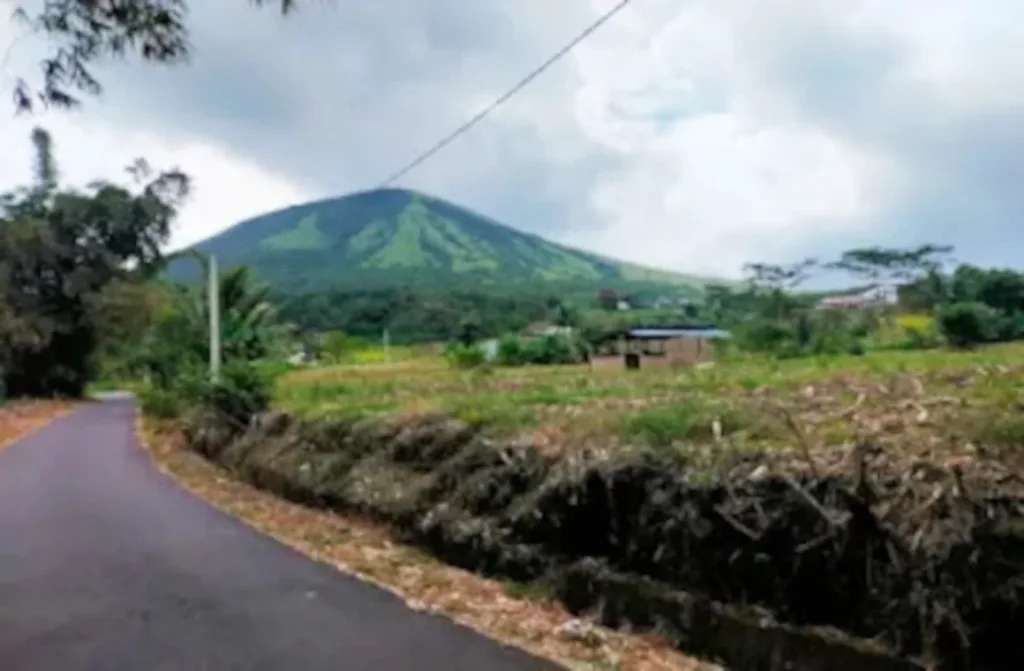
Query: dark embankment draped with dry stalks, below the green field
[{"x": 842, "y": 561}]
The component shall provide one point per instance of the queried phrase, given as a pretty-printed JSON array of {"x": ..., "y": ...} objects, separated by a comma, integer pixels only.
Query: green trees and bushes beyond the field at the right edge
[{"x": 970, "y": 306}]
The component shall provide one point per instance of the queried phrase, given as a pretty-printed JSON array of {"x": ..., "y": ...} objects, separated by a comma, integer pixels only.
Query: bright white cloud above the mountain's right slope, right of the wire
[{"x": 709, "y": 181}]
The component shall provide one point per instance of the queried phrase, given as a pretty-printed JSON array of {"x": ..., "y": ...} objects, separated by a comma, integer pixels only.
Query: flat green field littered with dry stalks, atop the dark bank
[{"x": 928, "y": 398}]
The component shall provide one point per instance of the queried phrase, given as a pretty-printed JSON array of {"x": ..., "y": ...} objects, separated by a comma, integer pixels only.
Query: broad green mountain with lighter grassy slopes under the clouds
[{"x": 396, "y": 237}]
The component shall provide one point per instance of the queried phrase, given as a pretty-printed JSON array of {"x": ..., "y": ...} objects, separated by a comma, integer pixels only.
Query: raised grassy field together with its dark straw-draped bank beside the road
[{"x": 847, "y": 514}]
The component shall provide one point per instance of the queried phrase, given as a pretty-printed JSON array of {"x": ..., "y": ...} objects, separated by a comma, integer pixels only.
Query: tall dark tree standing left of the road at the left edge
[{"x": 60, "y": 249}]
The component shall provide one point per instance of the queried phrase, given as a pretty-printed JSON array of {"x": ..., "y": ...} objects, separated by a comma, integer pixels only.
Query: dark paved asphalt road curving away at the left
[{"x": 107, "y": 565}]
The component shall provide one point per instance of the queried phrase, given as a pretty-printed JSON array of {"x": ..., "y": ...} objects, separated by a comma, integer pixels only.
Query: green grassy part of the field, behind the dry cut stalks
[{"x": 650, "y": 406}]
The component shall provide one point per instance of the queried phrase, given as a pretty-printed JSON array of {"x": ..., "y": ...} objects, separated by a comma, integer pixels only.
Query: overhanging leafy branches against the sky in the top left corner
[{"x": 83, "y": 33}]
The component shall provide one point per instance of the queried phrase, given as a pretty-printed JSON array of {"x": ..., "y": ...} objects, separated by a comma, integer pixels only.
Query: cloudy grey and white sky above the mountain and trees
[{"x": 688, "y": 135}]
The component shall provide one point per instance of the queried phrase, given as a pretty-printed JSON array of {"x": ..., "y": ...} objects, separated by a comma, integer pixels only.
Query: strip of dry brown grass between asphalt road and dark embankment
[{"x": 369, "y": 552}]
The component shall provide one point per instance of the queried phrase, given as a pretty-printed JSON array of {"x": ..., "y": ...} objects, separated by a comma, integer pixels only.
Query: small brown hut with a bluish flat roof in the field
[{"x": 657, "y": 348}]
